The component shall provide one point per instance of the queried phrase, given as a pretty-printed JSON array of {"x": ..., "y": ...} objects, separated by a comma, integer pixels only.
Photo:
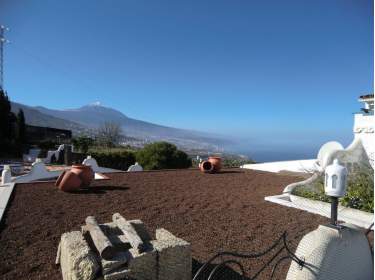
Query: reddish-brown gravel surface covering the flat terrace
[{"x": 214, "y": 212}]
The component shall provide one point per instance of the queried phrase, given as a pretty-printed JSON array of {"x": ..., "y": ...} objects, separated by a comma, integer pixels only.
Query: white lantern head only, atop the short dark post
[{"x": 335, "y": 179}]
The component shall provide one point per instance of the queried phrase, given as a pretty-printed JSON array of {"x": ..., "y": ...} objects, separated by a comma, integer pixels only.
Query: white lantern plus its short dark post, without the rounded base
[{"x": 335, "y": 186}]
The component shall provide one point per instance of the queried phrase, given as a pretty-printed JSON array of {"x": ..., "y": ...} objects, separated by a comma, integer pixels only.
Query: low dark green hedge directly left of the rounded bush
[{"x": 120, "y": 159}]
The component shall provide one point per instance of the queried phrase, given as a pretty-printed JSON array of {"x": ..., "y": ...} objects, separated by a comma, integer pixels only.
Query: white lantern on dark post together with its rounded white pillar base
[{"x": 333, "y": 251}]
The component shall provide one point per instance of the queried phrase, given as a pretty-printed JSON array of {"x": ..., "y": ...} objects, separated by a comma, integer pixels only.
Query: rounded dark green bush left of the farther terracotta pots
[{"x": 162, "y": 155}]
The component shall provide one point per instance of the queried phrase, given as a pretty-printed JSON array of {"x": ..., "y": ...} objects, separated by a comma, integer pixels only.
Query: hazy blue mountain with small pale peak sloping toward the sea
[{"x": 91, "y": 116}]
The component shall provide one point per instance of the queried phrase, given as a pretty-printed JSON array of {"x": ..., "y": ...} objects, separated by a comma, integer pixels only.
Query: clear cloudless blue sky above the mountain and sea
[{"x": 276, "y": 73}]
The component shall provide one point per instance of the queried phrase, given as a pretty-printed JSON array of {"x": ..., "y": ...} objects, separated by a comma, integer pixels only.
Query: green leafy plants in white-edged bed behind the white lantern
[{"x": 359, "y": 194}]
